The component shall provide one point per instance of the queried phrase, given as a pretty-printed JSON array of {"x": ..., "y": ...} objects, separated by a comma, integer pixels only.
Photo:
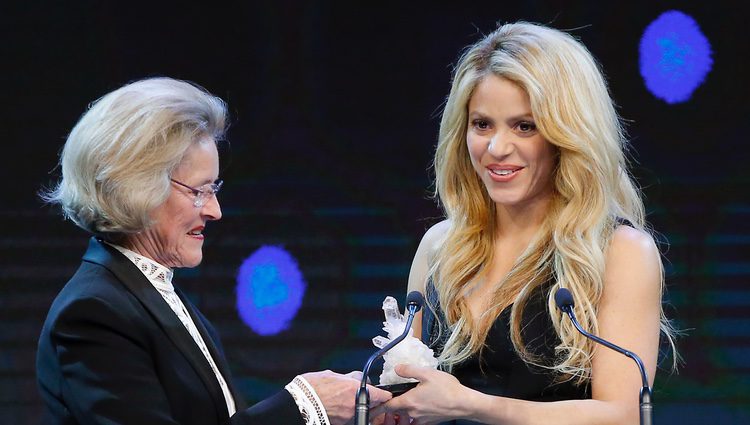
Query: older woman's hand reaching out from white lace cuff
[{"x": 338, "y": 393}]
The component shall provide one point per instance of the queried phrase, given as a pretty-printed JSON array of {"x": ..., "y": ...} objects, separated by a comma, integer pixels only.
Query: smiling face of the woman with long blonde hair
[{"x": 510, "y": 156}]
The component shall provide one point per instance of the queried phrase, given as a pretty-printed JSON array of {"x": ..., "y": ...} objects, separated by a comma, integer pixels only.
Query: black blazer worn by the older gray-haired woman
[{"x": 112, "y": 351}]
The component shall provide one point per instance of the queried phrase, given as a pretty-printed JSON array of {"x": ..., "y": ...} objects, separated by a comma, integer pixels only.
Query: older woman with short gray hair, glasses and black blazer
[{"x": 121, "y": 344}]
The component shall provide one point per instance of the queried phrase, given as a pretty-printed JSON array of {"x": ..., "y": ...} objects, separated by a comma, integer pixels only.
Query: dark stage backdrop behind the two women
[{"x": 335, "y": 110}]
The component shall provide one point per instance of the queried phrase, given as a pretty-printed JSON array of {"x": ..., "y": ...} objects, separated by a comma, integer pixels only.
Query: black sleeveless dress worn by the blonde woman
[{"x": 500, "y": 371}]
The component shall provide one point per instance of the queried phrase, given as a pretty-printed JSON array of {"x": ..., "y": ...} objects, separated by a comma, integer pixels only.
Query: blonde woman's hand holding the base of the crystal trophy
[{"x": 438, "y": 397}]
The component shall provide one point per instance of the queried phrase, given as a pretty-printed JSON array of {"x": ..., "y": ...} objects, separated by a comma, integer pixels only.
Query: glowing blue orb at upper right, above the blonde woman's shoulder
[{"x": 675, "y": 57}]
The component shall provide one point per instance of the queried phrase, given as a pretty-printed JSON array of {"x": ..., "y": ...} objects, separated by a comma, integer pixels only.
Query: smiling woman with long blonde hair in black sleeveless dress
[{"x": 531, "y": 173}]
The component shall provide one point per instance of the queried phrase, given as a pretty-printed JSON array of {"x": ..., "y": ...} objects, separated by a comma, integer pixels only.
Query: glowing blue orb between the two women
[{"x": 270, "y": 288}]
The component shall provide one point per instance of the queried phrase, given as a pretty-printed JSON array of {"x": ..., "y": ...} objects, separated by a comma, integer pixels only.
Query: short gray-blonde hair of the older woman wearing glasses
[{"x": 118, "y": 159}]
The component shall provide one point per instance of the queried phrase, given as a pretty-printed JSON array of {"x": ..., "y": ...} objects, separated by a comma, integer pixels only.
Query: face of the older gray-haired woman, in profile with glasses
[{"x": 176, "y": 238}]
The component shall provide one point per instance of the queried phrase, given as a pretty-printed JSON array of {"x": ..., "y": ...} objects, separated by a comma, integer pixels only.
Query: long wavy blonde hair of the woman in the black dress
[{"x": 592, "y": 190}]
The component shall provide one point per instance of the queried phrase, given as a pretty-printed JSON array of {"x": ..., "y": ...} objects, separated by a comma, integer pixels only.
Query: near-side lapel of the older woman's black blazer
[{"x": 138, "y": 284}]
